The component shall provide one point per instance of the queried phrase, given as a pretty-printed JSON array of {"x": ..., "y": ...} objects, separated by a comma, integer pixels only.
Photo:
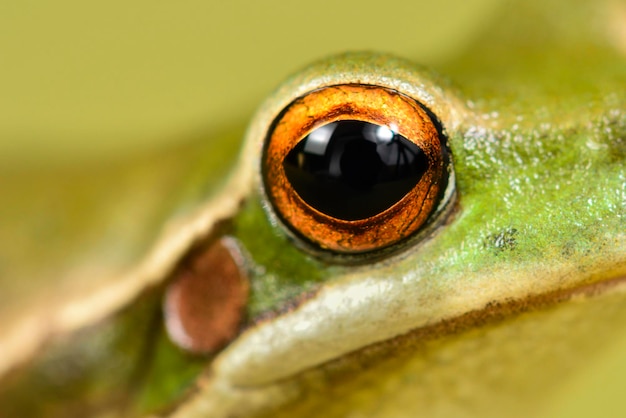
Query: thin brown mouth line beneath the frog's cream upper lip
[{"x": 342, "y": 368}]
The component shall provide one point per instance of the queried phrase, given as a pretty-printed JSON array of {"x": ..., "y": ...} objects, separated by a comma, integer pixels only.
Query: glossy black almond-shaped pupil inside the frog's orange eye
[{"x": 353, "y": 170}]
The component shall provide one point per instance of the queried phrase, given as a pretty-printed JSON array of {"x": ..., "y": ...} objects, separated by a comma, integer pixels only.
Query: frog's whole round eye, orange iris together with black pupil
[{"x": 354, "y": 168}]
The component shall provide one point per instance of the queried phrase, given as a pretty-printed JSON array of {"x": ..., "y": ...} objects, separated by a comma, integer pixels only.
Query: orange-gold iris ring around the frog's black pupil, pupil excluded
[{"x": 372, "y": 105}]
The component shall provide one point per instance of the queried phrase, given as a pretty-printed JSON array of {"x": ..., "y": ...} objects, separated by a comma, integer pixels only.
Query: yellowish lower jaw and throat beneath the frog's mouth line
[{"x": 438, "y": 375}]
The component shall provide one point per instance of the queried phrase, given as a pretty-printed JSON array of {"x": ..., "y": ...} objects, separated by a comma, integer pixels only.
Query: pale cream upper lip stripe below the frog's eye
[{"x": 363, "y": 309}]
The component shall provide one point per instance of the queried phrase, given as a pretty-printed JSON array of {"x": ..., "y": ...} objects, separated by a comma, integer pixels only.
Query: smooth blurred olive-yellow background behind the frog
[{"x": 83, "y": 81}]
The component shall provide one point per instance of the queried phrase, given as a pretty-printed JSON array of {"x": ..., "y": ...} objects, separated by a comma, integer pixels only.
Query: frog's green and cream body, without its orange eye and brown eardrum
[{"x": 514, "y": 280}]
